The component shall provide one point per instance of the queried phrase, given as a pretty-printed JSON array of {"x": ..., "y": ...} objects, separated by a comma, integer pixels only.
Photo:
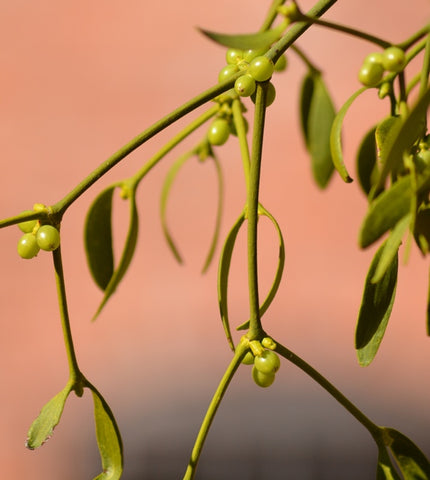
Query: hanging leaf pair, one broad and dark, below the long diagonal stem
[{"x": 99, "y": 242}]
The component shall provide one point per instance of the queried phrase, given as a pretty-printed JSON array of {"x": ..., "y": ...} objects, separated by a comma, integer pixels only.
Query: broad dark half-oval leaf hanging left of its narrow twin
[{"x": 98, "y": 238}]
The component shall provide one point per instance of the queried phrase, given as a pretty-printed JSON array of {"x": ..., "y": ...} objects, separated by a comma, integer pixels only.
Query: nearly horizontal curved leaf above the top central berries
[{"x": 254, "y": 41}]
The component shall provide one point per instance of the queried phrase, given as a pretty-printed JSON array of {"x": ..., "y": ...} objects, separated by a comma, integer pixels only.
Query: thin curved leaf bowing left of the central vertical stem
[{"x": 223, "y": 273}]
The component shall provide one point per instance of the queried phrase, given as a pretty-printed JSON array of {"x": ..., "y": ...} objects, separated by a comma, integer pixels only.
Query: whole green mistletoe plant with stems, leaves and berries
[{"x": 393, "y": 165}]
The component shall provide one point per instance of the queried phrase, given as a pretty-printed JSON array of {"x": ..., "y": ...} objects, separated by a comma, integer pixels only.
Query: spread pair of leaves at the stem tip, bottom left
[{"x": 107, "y": 432}]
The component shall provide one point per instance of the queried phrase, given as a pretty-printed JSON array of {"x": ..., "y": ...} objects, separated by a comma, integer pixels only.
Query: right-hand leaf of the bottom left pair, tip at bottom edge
[{"x": 108, "y": 439}]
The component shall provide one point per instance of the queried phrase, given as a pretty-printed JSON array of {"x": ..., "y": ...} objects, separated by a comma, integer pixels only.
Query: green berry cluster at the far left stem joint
[{"x": 37, "y": 237}]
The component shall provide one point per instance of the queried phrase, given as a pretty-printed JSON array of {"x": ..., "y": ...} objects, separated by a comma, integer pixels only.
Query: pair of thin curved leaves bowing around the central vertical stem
[{"x": 224, "y": 271}]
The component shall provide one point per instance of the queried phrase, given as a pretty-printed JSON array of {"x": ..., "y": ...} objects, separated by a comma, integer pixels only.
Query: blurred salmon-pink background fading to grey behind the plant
[{"x": 79, "y": 80}]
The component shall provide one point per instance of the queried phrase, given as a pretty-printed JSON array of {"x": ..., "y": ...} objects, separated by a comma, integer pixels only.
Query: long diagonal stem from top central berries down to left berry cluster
[{"x": 140, "y": 139}]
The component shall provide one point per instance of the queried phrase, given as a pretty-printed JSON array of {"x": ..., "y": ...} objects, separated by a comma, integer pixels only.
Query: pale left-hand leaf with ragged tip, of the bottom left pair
[{"x": 42, "y": 428}]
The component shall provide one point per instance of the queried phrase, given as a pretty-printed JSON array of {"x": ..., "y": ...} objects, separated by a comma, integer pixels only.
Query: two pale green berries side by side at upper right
[{"x": 392, "y": 59}]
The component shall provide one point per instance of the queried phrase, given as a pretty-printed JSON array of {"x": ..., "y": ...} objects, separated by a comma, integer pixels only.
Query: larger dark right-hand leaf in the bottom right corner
[{"x": 412, "y": 462}]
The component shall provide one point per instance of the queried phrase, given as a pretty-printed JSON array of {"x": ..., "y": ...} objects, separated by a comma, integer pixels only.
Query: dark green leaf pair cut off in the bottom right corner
[{"x": 409, "y": 459}]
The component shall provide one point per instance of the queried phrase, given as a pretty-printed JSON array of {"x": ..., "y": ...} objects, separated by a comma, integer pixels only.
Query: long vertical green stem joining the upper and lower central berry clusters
[{"x": 255, "y": 328}]
